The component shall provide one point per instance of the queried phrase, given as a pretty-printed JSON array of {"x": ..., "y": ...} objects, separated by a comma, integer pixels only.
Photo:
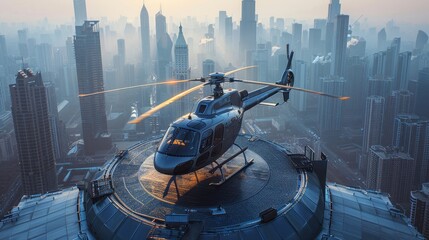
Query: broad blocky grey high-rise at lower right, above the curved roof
[{"x": 391, "y": 172}]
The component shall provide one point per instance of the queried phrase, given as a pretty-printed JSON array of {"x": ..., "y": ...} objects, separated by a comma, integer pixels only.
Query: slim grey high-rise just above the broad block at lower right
[{"x": 373, "y": 125}]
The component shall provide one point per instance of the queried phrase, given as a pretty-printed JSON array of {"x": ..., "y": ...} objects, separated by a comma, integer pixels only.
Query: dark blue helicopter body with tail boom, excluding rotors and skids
[{"x": 200, "y": 138}]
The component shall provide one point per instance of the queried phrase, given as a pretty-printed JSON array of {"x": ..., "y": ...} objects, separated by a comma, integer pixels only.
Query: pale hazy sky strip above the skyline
[{"x": 376, "y": 11}]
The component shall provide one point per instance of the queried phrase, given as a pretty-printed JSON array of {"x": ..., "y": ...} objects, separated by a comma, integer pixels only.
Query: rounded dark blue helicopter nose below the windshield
[{"x": 171, "y": 165}]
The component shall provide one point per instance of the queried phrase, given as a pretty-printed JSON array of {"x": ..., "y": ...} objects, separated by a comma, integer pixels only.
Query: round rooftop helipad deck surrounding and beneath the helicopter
[{"x": 271, "y": 181}]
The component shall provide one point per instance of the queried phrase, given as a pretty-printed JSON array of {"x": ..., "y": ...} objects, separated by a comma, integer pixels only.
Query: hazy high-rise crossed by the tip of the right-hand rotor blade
[{"x": 330, "y": 110}]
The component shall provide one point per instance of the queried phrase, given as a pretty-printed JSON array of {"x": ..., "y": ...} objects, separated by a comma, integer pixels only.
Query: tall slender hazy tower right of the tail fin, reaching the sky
[{"x": 340, "y": 45}]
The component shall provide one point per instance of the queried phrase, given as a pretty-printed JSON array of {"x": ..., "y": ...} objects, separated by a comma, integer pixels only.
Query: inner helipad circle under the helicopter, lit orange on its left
[{"x": 194, "y": 190}]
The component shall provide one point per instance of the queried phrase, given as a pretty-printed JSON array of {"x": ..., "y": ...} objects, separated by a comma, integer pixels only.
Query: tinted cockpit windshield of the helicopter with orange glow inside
[{"x": 180, "y": 142}]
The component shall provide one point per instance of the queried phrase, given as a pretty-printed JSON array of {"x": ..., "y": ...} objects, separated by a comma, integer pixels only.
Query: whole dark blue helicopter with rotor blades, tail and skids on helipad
[{"x": 200, "y": 138}]
